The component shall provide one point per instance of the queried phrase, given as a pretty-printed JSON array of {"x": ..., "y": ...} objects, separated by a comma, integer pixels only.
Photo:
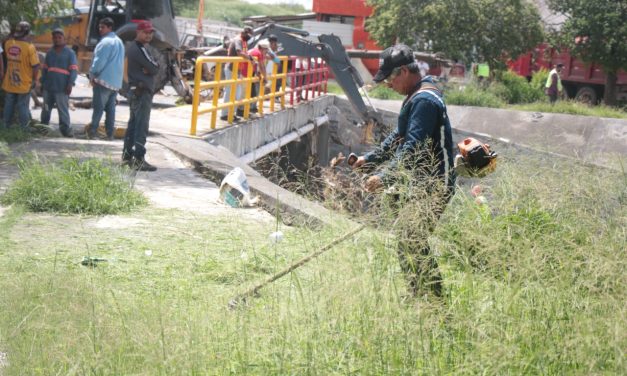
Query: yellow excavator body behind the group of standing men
[{"x": 80, "y": 25}]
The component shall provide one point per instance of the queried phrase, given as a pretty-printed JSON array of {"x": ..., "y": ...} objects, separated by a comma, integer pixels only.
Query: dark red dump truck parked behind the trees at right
[{"x": 583, "y": 81}]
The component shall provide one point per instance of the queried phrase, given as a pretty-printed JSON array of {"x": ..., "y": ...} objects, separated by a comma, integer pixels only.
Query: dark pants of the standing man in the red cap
[{"x": 140, "y": 104}]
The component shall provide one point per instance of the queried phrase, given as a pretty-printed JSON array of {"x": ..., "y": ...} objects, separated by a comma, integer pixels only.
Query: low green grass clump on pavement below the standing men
[{"x": 73, "y": 187}]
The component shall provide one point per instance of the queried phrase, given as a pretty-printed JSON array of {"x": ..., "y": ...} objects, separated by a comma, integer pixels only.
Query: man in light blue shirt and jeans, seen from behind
[{"x": 106, "y": 74}]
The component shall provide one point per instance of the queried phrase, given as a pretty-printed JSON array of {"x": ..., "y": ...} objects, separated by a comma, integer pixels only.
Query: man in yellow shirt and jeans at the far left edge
[{"x": 21, "y": 75}]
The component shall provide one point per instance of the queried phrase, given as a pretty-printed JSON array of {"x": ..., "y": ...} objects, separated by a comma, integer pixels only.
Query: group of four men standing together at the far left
[{"x": 58, "y": 77}]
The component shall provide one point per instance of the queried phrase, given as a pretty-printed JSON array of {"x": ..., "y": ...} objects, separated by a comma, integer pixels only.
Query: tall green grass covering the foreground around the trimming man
[{"x": 535, "y": 284}]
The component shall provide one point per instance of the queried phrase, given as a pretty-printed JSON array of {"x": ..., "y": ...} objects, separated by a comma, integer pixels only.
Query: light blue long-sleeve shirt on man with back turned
[{"x": 107, "y": 68}]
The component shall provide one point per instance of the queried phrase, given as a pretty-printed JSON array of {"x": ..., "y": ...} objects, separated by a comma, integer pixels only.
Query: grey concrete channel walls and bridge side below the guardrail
[{"x": 326, "y": 125}]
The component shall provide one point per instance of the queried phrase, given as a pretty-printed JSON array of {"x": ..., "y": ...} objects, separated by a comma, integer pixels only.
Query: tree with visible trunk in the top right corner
[{"x": 596, "y": 31}]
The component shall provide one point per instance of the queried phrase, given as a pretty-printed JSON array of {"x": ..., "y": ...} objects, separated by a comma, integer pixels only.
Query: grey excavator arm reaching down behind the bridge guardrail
[{"x": 330, "y": 49}]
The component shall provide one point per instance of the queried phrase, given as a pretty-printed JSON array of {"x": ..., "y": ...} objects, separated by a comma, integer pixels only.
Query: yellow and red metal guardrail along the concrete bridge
[{"x": 302, "y": 82}]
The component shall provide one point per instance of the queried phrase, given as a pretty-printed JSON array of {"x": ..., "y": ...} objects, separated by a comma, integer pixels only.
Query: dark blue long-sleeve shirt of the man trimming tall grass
[{"x": 423, "y": 132}]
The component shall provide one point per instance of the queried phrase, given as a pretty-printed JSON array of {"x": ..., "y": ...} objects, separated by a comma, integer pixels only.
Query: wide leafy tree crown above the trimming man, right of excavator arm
[{"x": 472, "y": 30}]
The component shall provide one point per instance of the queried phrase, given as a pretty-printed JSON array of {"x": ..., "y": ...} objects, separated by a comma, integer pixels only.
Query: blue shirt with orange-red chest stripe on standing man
[{"x": 59, "y": 70}]
